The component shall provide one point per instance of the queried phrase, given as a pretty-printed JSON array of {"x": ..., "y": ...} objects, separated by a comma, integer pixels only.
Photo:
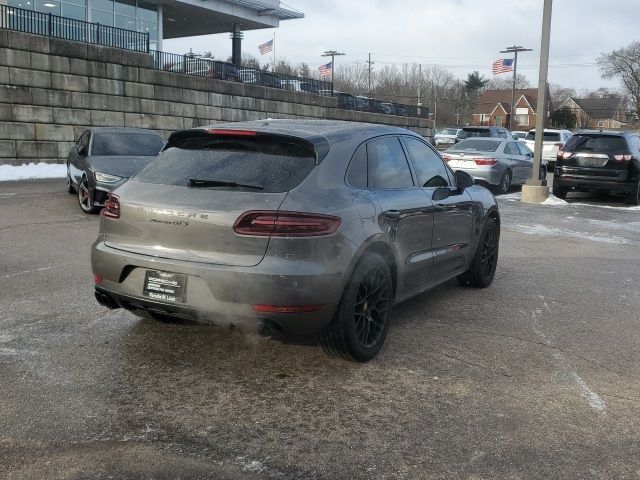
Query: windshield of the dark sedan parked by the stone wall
[{"x": 134, "y": 144}]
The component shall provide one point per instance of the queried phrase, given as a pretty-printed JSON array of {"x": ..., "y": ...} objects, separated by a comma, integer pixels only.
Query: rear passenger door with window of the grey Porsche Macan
[{"x": 407, "y": 216}]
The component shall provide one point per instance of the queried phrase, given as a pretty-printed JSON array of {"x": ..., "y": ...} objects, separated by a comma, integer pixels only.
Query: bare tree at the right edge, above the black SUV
[{"x": 624, "y": 64}]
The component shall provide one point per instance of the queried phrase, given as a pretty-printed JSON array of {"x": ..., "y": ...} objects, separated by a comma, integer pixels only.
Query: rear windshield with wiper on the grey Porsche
[{"x": 265, "y": 163}]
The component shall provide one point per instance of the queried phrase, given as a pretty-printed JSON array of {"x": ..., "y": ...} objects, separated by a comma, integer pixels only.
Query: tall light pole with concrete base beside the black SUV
[{"x": 536, "y": 190}]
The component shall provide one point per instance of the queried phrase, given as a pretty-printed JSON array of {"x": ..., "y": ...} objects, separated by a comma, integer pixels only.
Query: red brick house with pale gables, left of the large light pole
[{"x": 493, "y": 107}]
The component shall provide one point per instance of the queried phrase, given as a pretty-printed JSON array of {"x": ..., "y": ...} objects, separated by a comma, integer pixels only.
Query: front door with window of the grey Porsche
[{"x": 453, "y": 220}]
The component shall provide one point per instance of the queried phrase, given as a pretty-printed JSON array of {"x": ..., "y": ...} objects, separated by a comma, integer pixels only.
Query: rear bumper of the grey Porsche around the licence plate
[{"x": 225, "y": 294}]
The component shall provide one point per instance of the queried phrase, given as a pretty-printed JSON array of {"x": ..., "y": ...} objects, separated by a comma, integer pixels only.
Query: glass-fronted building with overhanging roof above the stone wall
[{"x": 167, "y": 19}]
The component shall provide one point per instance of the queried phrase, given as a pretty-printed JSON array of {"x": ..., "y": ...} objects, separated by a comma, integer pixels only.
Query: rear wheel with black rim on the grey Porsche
[{"x": 361, "y": 322}]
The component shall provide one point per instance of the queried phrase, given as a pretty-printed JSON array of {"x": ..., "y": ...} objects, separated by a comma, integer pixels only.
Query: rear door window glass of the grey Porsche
[{"x": 388, "y": 167}]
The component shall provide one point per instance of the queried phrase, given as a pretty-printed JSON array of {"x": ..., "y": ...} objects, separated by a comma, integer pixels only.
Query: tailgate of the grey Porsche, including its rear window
[{"x": 184, "y": 204}]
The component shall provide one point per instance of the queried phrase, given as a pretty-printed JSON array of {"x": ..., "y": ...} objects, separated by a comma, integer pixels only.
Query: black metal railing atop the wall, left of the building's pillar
[{"x": 30, "y": 21}]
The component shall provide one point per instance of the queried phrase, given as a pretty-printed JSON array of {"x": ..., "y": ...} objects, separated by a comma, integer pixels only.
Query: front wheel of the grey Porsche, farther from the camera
[{"x": 485, "y": 260}]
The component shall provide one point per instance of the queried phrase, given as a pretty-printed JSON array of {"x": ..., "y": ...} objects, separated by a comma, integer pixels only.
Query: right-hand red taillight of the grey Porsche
[{"x": 285, "y": 224}]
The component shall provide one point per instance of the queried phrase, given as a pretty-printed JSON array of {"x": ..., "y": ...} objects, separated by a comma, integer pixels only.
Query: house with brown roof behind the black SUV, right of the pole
[{"x": 606, "y": 113}]
